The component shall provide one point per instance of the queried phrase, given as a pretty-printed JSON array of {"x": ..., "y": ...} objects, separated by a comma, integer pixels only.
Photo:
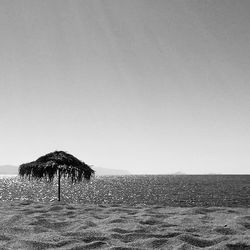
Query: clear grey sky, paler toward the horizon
[{"x": 153, "y": 87}]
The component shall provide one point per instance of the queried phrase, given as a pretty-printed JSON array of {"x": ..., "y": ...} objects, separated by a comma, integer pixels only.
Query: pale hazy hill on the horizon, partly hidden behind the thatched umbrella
[{"x": 13, "y": 170}]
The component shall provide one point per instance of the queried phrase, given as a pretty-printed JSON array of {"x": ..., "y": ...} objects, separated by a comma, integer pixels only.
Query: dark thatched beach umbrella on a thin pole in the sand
[{"x": 58, "y": 163}]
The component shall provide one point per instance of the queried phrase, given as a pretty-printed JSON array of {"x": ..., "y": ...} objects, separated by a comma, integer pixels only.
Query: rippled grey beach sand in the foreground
[{"x": 29, "y": 225}]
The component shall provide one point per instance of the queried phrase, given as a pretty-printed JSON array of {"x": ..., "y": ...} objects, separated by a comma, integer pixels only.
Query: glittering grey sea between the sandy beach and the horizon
[{"x": 133, "y": 190}]
